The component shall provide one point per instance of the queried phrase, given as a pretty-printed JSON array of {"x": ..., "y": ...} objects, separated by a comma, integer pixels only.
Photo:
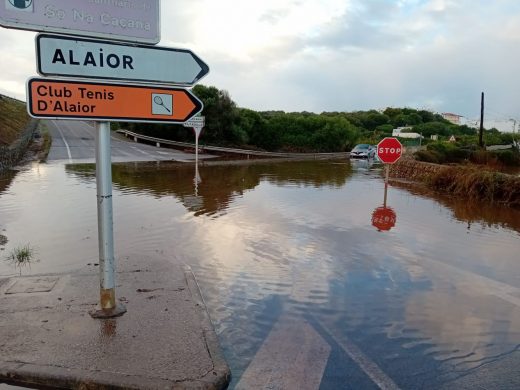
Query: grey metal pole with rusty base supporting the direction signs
[{"x": 108, "y": 306}]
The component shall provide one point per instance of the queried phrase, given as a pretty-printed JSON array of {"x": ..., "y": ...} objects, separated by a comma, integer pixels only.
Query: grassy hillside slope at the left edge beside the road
[{"x": 13, "y": 119}]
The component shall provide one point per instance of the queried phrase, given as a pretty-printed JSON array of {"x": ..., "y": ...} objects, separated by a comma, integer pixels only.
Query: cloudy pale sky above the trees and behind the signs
[{"x": 338, "y": 55}]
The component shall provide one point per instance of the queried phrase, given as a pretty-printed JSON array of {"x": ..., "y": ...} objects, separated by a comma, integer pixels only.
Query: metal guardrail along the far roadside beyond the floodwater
[{"x": 244, "y": 152}]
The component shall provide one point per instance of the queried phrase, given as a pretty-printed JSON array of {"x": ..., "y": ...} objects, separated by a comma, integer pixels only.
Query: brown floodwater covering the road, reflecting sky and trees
[{"x": 294, "y": 273}]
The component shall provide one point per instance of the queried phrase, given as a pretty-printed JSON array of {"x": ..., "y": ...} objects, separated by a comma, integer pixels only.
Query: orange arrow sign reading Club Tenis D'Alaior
[{"x": 48, "y": 98}]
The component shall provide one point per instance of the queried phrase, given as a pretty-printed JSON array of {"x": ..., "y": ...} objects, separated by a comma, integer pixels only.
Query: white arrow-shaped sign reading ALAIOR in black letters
[{"x": 70, "y": 56}]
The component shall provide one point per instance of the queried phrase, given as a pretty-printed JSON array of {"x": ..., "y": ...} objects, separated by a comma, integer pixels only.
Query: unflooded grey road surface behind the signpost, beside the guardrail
[{"x": 75, "y": 142}]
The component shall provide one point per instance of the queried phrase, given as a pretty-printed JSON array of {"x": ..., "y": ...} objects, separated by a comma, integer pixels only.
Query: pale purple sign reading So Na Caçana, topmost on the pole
[{"x": 125, "y": 20}]
